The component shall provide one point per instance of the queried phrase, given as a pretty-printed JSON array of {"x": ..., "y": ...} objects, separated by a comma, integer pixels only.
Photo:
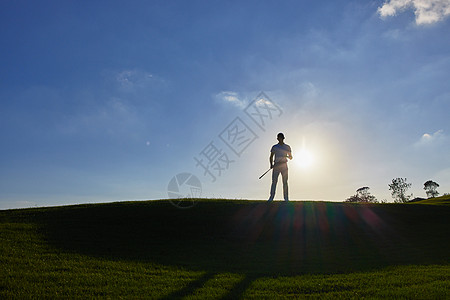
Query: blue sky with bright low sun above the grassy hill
[{"x": 109, "y": 100}]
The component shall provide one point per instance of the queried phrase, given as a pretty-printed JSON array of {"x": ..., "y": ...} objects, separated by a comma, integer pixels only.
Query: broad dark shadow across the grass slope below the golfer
[{"x": 254, "y": 238}]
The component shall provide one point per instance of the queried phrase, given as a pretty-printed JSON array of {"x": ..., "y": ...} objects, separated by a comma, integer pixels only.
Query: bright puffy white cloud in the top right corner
[{"x": 426, "y": 11}]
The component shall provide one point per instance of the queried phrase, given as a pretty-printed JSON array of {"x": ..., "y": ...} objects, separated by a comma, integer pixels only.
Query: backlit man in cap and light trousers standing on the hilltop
[{"x": 281, "y": 152}]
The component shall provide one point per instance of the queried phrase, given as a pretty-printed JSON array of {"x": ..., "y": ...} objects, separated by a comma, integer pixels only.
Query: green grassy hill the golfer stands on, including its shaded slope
[{"x": 225, "y": 249}]
